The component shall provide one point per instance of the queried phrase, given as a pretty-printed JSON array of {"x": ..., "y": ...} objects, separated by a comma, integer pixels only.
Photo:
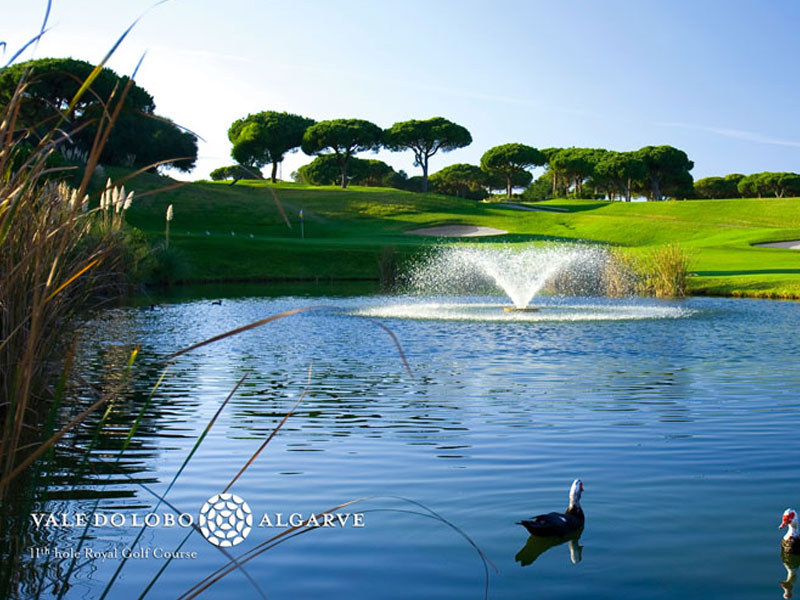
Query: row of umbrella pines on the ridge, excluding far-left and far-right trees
[{"x": 656, "y": 172}]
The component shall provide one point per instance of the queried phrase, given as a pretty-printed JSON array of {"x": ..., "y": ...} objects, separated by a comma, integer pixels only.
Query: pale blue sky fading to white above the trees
[{"x": 716, "y": 78}]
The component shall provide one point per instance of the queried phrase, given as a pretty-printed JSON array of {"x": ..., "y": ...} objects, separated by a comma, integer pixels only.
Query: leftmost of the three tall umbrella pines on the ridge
[{"x": 266, "y": 137}]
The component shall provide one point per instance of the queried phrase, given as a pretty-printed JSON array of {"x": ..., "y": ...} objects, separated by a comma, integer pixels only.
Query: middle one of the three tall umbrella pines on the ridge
[{"x": 343, "y": 138}]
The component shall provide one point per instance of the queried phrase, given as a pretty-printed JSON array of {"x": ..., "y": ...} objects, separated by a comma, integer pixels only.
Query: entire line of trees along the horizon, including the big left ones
[{"x": 143, "y": 139}]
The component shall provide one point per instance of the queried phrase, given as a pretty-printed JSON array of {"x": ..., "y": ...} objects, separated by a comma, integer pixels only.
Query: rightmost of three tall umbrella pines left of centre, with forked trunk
[{"x": 426, "y": 138}]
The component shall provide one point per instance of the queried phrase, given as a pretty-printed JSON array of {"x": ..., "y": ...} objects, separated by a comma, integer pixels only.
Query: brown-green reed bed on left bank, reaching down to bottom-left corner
[{"x": 58, "y": 257}]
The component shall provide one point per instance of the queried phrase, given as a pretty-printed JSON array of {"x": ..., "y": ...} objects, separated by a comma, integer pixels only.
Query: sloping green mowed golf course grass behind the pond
[{"x": 239, "y": 232}]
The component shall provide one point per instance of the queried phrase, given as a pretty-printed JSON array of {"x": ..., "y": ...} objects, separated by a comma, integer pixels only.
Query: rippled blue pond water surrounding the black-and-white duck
[{"x": 681, "y": 419}]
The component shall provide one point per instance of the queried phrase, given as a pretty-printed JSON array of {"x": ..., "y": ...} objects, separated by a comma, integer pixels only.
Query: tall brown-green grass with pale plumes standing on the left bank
[{"x": 55, "y": 256}]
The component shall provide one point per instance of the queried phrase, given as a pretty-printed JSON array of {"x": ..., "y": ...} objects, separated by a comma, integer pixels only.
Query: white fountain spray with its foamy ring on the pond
[{"x": 567, "y": 281}]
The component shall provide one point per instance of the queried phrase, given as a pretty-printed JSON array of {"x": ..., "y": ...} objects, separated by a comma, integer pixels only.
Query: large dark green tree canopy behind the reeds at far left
[{"x": 139, "y": 137}]
